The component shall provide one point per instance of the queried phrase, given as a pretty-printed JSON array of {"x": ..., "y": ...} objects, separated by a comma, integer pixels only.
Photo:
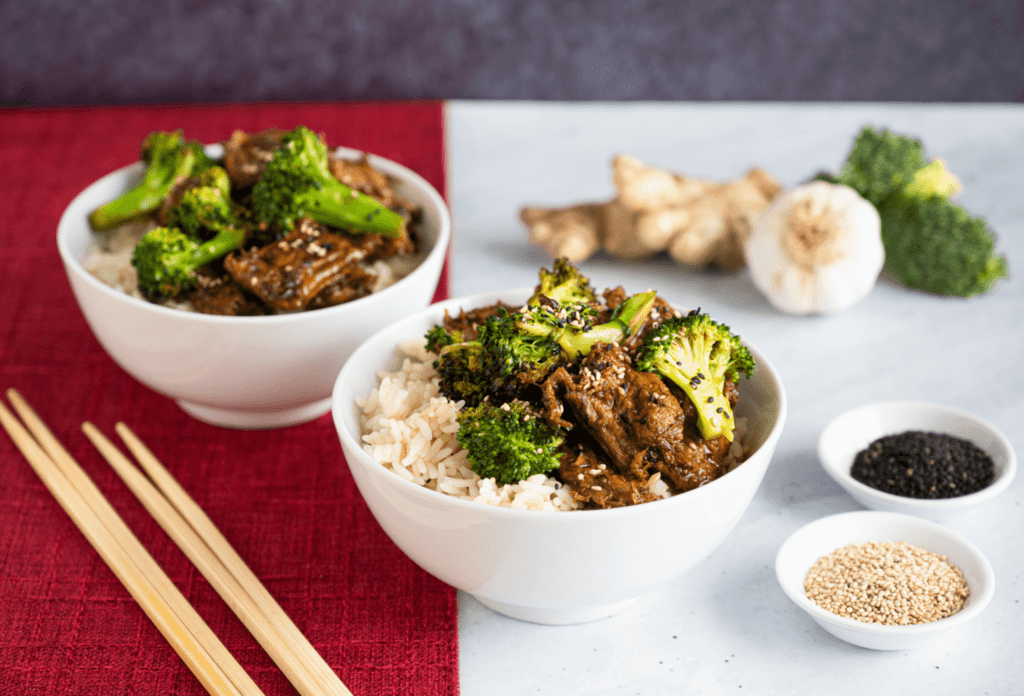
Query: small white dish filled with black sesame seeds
[{"x": 921, "y": 459}]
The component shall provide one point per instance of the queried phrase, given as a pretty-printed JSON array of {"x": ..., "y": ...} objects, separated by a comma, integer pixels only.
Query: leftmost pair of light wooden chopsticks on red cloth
[{"x": 184, "y": 629}]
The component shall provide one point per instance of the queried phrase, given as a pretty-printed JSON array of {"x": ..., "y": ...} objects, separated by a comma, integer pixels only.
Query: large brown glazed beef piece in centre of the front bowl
[{"x": 635, "y": 419}]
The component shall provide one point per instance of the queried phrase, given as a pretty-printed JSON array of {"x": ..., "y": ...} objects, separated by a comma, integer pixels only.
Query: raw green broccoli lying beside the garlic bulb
[{"x": 931, "y": 243}]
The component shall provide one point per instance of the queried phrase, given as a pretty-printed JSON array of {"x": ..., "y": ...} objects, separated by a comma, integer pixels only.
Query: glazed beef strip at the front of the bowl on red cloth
[{"x": 289, "y": 274}]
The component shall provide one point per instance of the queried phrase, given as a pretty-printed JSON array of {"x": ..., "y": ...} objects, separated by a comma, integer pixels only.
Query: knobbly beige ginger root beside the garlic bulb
[{"x": 698, "y": 223}]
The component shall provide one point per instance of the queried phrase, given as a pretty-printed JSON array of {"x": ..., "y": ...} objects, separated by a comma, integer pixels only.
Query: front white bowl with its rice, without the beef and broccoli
[{"x": 521, "y": 550}]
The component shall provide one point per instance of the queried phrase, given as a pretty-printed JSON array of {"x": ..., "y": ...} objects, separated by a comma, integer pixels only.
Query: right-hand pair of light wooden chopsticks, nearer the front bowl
[{"x": 199, "y": 539}]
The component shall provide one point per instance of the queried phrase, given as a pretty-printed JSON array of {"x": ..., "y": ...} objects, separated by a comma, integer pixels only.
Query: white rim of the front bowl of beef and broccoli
[{"x": 479, "y": 299}]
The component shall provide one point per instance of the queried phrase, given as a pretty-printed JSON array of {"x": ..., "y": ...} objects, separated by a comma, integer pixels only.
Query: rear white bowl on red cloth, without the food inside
[{"x": 245, "y": 372}]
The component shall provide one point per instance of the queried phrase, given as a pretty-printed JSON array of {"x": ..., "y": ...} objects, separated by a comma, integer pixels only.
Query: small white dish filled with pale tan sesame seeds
[{"x": 884, "y": 581}]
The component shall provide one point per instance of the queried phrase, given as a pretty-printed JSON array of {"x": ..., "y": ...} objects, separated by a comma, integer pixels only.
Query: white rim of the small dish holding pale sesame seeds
[{"x": 785, "y": 563}]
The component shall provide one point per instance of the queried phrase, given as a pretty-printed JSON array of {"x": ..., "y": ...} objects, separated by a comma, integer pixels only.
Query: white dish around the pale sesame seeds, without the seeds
[{"x": 821, "y": 538}]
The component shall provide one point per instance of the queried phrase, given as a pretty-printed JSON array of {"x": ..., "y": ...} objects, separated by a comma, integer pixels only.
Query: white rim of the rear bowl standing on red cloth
[{"x": 436, "y": 256}]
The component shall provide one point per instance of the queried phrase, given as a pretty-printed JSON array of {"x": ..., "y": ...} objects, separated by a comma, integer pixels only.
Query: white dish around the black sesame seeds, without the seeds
[{"x": 854, "y": 431}]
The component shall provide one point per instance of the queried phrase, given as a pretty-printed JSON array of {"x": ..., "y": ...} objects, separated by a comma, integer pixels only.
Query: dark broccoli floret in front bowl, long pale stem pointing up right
[{"x": 516, "y": 351}]
